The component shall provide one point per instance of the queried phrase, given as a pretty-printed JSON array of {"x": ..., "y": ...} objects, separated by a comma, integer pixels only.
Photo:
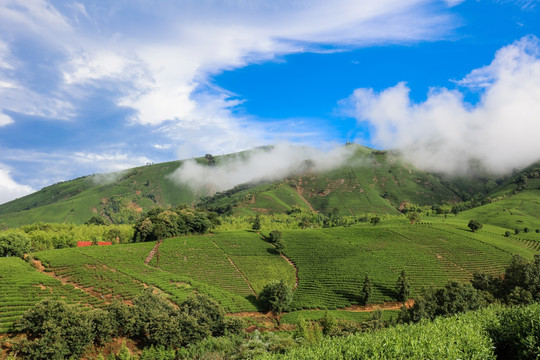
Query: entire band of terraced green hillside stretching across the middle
[{"x": 233, "y": 266}]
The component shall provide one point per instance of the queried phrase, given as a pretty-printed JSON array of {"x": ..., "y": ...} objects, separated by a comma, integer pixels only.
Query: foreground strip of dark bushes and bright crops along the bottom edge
[{"x": 57, "y": 332}]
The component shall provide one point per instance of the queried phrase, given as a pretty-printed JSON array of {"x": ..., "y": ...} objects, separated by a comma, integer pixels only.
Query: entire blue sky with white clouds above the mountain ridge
[{"x": 100, "y": 86}]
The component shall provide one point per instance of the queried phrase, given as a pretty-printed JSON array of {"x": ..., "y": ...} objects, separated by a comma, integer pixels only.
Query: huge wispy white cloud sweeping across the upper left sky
[{"x": 157, "y": 60}]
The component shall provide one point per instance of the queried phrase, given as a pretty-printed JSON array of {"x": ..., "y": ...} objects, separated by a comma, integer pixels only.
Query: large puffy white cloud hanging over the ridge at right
[{"x": 444, "y": 133}]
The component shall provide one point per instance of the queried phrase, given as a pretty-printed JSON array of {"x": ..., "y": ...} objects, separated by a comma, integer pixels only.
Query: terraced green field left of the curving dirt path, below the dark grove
[{"x": 232, "y": 267}]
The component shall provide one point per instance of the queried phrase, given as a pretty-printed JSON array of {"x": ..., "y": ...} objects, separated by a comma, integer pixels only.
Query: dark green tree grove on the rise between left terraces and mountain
[{"x": 159, "y": 223}]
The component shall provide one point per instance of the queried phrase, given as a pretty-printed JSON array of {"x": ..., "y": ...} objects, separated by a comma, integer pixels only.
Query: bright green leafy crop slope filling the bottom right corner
[{"x": 495, "y": 332}]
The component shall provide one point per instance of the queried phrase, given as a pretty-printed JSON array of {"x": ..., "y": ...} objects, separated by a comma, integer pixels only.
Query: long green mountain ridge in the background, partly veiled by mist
[{"x": 366, "y": 181}]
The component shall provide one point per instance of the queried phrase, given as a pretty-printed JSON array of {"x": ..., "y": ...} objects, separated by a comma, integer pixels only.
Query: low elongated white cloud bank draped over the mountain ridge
[{"x": 259, "y": 165}]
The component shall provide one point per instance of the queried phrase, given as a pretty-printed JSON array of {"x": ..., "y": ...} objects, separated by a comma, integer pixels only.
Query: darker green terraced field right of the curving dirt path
[{"x": 332, "y": 263}]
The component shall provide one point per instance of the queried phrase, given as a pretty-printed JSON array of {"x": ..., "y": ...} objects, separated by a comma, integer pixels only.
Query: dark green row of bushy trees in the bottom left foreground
[{"x": 55, "y": 330}]
